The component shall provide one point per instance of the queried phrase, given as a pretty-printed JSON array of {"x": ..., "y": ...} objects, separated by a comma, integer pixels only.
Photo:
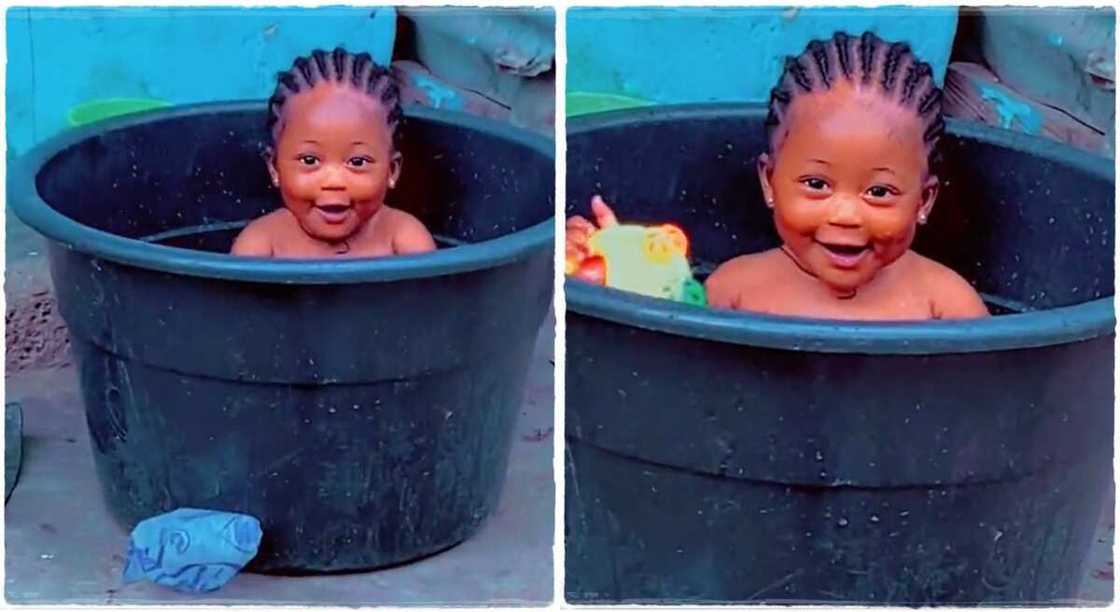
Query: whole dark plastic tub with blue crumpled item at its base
[{"x": 361, "y": 410}]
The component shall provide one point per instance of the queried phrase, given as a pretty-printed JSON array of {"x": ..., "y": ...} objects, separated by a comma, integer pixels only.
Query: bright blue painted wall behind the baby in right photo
[{"x": 716, "y": 54}]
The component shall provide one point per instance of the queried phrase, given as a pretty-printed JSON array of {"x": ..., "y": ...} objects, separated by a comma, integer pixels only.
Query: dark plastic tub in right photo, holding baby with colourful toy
[{"x": 727, "y": 457}]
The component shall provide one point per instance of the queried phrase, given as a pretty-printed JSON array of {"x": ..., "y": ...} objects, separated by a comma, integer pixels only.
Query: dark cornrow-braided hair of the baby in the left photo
[{"x": 359, "y": 71}]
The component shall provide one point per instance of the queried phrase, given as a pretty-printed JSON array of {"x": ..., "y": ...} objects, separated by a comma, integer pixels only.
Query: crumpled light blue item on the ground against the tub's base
[{"x": 192, "y": 550}]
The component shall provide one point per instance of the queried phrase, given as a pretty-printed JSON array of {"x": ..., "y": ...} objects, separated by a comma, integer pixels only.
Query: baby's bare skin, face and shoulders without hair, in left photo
[{"x": 334, "y": 164}]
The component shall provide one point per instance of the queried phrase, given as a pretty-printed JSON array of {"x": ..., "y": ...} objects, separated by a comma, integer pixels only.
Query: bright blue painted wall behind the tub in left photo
[{"x": 59, "y": 59}]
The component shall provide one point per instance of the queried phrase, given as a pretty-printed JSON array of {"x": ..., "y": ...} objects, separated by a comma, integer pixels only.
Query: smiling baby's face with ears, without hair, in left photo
[{"x": 334, "y": 160}]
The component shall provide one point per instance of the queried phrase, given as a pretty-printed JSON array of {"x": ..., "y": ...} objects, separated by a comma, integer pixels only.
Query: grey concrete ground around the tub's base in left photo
[{"x": 62, "y": 548}]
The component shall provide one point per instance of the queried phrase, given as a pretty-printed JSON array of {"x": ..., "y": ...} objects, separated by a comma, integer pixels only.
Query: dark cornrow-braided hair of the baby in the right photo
[{"x": 869, "y": 62}]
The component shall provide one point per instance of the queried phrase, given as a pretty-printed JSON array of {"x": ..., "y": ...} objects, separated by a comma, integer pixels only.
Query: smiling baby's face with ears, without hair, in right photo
[{"x": 848, "y": 182}]
